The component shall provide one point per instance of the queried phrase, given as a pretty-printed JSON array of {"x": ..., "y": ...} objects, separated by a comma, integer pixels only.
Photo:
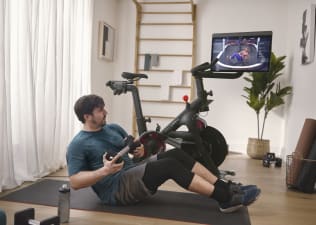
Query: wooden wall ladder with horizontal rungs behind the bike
[{"x": 164, "y": 50}]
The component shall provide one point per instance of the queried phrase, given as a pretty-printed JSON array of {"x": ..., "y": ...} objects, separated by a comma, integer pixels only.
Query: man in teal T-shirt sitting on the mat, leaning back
[{"x": 122, "y": 183}]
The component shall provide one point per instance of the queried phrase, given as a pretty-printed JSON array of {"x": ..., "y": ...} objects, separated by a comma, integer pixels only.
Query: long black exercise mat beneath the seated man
[{"x": 177, "y": 206}]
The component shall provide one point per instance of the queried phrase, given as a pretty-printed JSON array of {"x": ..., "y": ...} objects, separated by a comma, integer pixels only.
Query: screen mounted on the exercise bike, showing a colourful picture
[{"x": 247, "y": 51}]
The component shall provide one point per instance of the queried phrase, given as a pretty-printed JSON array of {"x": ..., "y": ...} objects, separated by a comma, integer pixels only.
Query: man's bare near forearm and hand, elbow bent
[{"x": 87, "y": 178}]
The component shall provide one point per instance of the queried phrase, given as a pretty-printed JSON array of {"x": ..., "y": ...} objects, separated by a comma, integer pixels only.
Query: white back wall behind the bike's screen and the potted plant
[{"x": 229, "y": 112}]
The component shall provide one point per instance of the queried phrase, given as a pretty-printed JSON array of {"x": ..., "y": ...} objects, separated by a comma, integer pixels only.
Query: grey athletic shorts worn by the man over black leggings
[{"x": 131, "y": 187}]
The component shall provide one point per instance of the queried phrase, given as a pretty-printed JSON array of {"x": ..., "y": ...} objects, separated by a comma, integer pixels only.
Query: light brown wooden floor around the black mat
[{"x": 276, "y": 205}]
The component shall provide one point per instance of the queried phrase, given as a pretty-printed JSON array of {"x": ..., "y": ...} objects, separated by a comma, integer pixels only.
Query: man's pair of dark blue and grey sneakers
[{"x": 240, "y": 199}]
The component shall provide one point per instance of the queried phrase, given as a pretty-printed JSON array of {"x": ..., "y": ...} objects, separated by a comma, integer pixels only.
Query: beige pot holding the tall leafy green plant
[{"x": 257, "y": 148}]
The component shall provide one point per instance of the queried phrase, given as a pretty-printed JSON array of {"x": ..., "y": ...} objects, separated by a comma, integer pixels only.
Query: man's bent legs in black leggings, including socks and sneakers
[{"x": 159, "y": 171}]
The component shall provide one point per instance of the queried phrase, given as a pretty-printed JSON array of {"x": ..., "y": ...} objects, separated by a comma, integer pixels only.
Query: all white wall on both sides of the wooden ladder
[{"x": 229, "y": 112}]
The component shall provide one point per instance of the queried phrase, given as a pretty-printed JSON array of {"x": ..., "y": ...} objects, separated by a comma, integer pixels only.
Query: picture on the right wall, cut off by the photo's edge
[{"x": 307, "y": 41}]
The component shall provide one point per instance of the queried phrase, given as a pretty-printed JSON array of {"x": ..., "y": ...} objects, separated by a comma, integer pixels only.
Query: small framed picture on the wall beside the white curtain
[{"x": 106, "y": 41}]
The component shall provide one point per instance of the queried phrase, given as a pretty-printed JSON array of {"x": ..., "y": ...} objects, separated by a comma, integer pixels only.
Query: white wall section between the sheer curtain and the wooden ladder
[{"x": 121, "y": 15}]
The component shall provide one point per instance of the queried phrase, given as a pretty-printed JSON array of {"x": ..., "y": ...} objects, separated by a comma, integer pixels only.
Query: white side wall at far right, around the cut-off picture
[{"x": 303, "y": 104}]
